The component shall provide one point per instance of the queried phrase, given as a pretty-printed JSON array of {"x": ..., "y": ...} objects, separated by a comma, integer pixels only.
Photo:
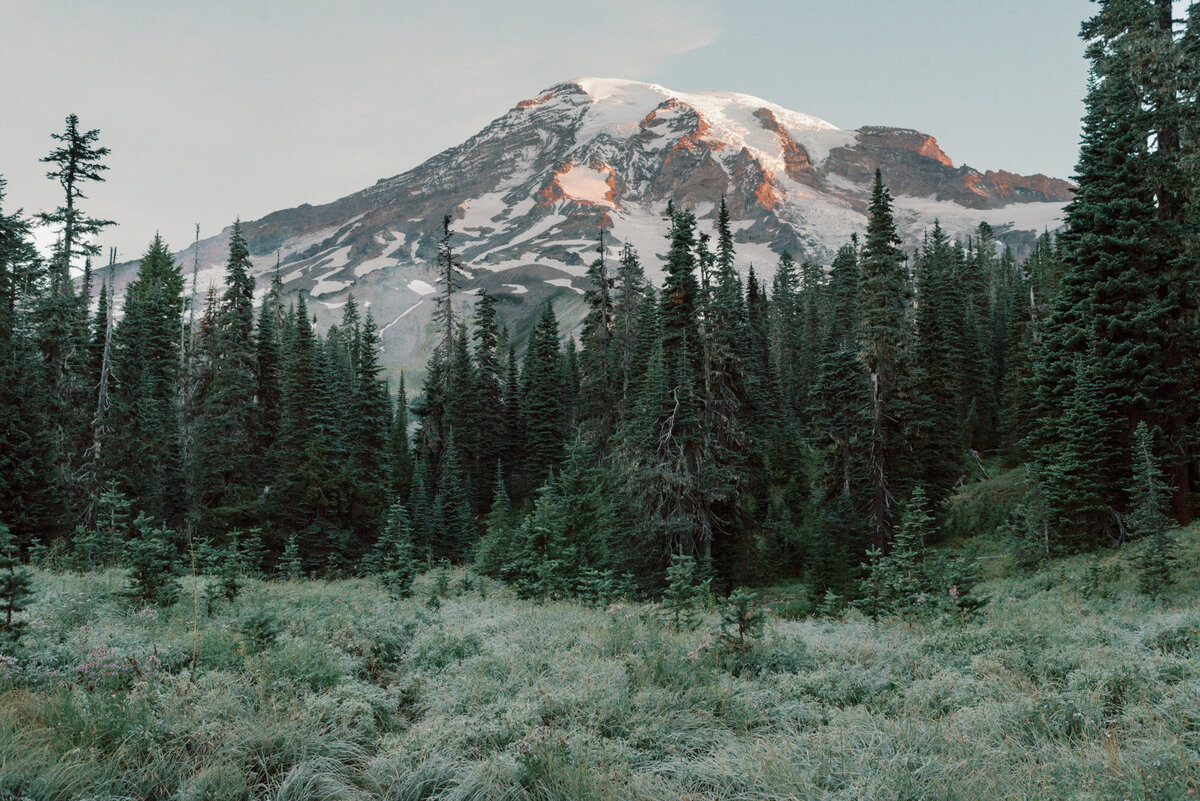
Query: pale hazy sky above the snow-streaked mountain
[{"x": 217, "y": 110}]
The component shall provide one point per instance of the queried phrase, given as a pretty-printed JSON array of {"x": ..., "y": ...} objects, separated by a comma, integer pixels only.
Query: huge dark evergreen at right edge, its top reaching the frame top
[{"x": 1127, "y": 291}]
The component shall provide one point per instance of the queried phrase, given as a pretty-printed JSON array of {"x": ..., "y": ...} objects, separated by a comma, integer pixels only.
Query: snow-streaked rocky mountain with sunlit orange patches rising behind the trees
[{"x": 530, "y": 192}]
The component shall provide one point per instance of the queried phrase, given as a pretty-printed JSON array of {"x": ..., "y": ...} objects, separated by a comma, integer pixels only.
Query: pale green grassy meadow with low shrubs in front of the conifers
[{"x": 1066, "y": 685}]
